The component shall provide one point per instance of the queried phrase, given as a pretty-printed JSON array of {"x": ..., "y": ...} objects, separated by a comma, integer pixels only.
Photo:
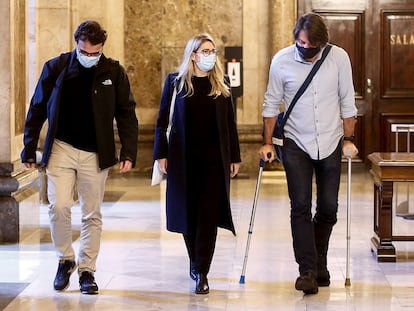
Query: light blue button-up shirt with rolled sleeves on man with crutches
[{"x": 315, "y": 123}]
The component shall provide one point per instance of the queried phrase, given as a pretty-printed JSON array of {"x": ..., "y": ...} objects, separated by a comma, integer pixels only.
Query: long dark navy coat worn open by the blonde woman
[{"x": 175, "y": 152}]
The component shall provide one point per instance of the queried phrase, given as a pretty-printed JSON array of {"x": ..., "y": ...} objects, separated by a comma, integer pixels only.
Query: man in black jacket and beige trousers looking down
[{"x": 80, "y": 93}]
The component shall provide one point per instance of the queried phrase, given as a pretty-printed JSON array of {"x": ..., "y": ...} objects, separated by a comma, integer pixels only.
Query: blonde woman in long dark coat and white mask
[{"x": 202, "y": 154}]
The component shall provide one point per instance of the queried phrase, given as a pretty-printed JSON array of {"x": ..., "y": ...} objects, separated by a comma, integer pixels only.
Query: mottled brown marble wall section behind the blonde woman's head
[{"x": 155, "y": 36}]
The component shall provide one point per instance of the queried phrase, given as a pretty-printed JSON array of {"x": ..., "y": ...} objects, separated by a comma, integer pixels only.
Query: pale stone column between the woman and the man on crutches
[{"x": 267, "y": 27}]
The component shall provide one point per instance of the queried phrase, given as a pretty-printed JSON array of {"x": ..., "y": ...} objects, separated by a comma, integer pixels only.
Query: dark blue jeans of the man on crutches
[{"x": 300, "y": 169}]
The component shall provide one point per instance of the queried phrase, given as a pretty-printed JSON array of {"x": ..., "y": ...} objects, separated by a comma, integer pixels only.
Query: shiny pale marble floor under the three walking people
[{"x": 143, "y": 267}]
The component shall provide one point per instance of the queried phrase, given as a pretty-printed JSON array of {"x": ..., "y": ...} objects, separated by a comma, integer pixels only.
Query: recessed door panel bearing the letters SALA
[{"x": 397, "y": 78}]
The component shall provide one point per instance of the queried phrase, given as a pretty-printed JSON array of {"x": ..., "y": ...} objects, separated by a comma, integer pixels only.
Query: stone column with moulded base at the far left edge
[{"x": 19, "y": 200}]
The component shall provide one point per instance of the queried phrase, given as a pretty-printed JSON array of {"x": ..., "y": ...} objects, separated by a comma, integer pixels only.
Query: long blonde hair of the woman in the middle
[{"x": 186, "y": 70}]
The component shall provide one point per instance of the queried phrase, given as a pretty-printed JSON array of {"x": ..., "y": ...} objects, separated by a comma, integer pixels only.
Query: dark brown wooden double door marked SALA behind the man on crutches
[{"x": 379, "y": 38}]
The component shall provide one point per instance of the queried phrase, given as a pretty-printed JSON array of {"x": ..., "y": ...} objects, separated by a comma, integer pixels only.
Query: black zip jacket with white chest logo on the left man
[{"x": 111, "y": 99}]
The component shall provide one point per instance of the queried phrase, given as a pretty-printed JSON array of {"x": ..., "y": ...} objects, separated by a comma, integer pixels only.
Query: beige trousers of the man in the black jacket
[{"x": 66, "y": 167}]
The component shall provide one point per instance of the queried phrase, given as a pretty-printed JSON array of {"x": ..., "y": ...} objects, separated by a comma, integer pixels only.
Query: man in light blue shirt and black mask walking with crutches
[{"x": 319, "y": 129}]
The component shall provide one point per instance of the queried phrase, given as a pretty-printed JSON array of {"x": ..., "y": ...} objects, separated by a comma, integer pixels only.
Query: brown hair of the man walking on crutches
[{"x": 314, "y": 27}]
